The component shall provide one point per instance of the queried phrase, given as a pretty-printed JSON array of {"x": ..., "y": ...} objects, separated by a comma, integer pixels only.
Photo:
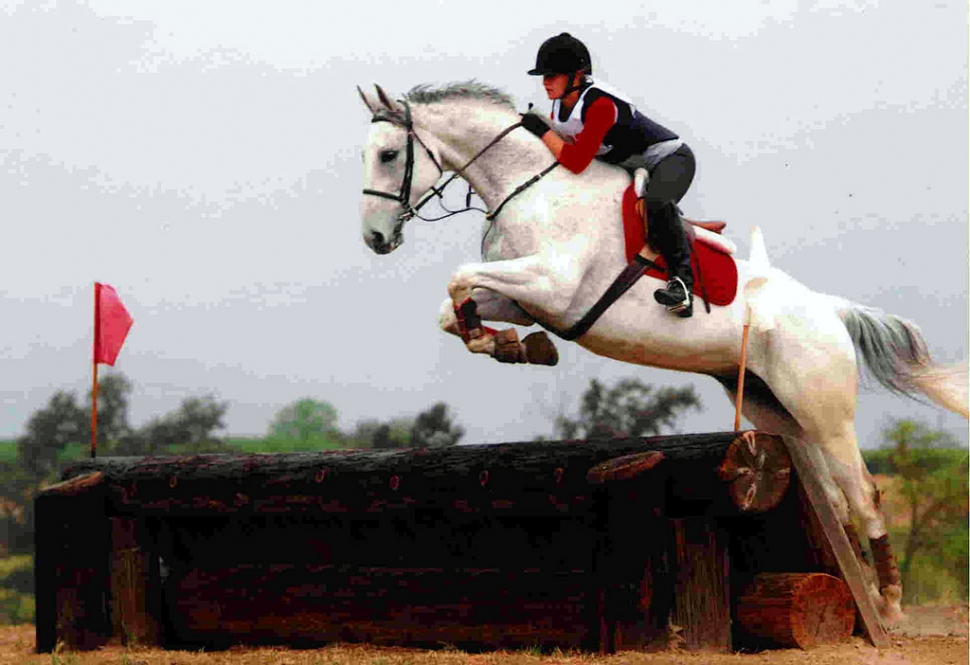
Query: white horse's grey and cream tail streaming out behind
[{"x": 895, "y": 354}]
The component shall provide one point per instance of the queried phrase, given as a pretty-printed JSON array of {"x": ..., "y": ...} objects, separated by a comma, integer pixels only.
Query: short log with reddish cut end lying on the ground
[{"x": 796, "y": 610}]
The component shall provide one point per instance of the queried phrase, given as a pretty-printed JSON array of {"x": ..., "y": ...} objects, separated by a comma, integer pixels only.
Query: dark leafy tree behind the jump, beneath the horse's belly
[{"x": 630, "y": 408}]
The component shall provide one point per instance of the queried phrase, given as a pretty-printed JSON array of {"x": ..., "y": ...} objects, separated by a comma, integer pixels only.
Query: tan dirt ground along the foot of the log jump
[{"x": 931, "y": 635}]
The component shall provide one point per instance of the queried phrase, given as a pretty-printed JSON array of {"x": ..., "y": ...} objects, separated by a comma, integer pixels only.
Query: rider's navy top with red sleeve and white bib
[{"x": 604, "y": 124}]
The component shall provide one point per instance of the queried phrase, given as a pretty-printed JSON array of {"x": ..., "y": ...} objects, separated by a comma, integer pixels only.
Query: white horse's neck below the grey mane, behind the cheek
[{"x": 462, "y": 131}]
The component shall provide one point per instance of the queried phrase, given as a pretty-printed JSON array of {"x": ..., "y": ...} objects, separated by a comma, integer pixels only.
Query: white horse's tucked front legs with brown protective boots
[{"x": 497, "y": 288}]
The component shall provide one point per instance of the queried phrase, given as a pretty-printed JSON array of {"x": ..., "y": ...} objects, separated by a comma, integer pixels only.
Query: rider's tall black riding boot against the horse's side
[{"x": 670, "y": 237}]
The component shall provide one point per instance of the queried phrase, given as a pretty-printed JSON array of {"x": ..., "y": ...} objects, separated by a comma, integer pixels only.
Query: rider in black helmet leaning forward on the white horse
[{"x": 603, "y": 123}]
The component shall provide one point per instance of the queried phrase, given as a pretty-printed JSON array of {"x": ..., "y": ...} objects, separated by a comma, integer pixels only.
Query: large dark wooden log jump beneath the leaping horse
[{"x": 705, "y": 541}]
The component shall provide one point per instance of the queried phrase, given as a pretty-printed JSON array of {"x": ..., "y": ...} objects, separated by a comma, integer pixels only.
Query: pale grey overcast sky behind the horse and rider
[{"x": 204, "y": 159}]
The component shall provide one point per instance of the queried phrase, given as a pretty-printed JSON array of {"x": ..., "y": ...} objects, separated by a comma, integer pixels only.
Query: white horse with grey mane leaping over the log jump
[{"x": 556, "y": 246}]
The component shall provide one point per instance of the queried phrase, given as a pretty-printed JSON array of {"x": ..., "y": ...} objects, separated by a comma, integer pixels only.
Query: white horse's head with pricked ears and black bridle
[{"x": 399, "y": 167}]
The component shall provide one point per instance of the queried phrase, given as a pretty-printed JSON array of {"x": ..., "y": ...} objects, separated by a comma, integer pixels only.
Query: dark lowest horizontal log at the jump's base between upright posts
[{"x": 313, "y": 605}]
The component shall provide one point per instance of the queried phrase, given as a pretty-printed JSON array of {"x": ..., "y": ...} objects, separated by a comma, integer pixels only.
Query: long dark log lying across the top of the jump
[{"x": 533, "y": 478}]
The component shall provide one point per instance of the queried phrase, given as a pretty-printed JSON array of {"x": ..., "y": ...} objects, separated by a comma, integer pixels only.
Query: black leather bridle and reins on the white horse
[{"x": 403, "y": 196}]
